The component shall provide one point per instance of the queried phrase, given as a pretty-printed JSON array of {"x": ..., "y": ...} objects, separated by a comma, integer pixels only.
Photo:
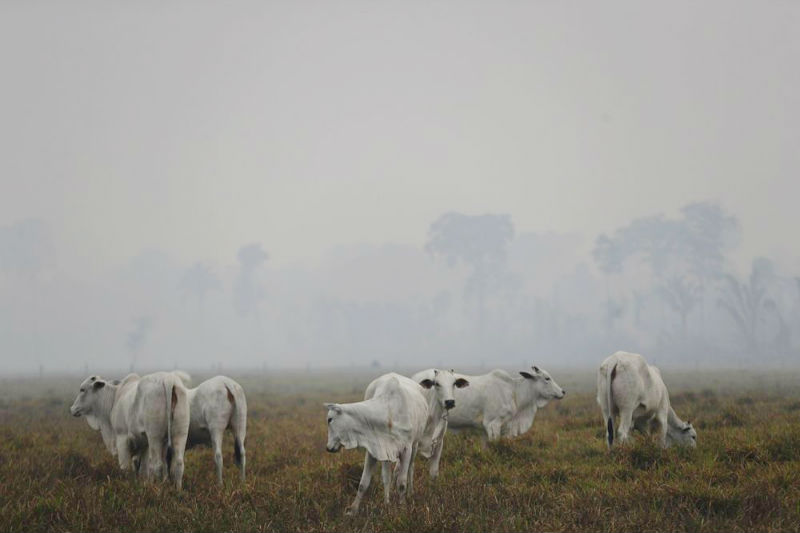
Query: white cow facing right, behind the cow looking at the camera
[{"x": 499, "y": 404}]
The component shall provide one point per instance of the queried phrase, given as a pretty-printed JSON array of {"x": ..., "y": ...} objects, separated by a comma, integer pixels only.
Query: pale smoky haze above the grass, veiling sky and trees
[{"x": 311, "y": 184}]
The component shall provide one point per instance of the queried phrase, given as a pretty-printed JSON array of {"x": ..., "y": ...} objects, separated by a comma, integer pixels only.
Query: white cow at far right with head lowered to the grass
[{"x": 629, "y": 387}]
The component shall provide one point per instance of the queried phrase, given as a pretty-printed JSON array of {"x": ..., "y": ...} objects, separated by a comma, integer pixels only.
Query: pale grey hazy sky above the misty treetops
[{"x": 198, "y": 127}]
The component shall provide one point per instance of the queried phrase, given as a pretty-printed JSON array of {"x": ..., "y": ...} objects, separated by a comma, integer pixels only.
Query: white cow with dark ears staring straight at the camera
[{"x": 439, "y": 387}]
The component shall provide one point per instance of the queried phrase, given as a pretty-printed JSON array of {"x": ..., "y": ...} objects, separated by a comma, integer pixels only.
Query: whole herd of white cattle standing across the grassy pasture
[{"x": 147, "y": 422}]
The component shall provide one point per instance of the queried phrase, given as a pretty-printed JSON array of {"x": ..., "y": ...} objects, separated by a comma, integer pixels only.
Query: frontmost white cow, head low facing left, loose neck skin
[{"x": 389, "y": 424}]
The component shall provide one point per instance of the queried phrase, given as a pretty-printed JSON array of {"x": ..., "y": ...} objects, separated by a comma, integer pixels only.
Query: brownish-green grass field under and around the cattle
[{"x": 744, "y": 475}]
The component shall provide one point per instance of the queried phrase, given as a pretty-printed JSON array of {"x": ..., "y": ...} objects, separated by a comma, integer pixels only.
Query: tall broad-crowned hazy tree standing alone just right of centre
[{"x": 478, "y": 241}]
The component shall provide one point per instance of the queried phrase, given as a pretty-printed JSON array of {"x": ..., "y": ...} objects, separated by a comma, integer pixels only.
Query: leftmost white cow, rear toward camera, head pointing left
[{"x": 137, "y": 417}]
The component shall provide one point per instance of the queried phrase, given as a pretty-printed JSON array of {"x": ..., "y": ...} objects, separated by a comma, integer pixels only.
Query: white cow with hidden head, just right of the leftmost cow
[{"x": 216, "y": 404}]
